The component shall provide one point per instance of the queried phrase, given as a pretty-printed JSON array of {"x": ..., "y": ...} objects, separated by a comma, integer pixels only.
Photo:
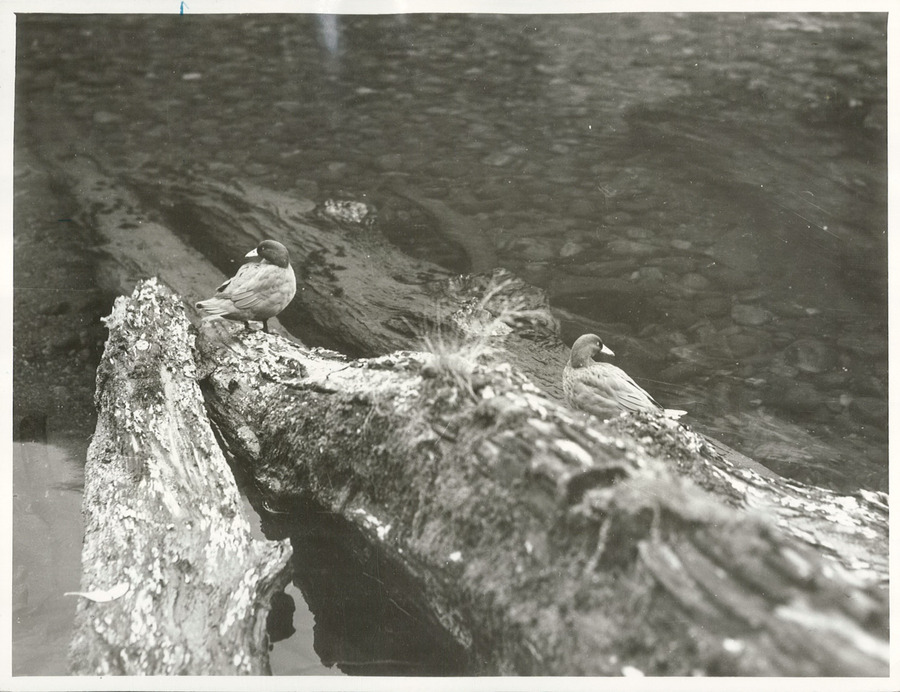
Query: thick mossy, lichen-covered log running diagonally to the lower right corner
[{"x": 548, "y": 543}]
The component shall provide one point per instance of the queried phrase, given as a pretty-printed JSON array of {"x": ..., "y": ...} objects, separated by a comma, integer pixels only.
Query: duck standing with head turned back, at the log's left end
[{"x": 261, "y": 289}]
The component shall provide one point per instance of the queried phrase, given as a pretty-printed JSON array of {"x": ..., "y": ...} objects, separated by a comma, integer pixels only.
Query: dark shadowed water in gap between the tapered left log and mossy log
[{"x": 350, "y": 607}]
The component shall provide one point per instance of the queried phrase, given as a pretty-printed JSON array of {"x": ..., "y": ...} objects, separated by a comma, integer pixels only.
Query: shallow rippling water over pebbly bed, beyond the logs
[{"x": 708, "y": 192}]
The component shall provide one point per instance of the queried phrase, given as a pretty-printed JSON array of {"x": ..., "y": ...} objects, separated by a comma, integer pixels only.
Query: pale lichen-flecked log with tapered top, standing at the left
[{"x": 172, "y": 582}]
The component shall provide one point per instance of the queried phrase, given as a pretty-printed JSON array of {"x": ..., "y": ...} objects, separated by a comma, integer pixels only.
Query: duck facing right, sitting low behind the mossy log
[{"x": 602, "y": 388}]
